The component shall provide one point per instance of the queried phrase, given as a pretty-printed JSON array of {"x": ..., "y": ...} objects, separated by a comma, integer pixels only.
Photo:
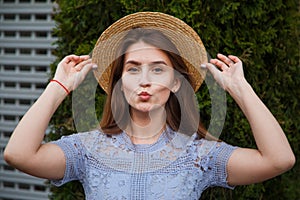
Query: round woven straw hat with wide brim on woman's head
[{"x": 182, "y": 35}]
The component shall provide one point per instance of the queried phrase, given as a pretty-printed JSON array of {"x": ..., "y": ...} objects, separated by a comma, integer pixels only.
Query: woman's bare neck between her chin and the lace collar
[{"x": 146, "y": 127}]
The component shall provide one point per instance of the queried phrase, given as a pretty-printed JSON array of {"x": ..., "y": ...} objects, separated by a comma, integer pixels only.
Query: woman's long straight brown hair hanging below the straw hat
[{"x": 180, "y": 107}]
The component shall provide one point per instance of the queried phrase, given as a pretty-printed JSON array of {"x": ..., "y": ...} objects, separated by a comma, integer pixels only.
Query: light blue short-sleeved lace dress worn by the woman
[{"x": 175, "y": 167}]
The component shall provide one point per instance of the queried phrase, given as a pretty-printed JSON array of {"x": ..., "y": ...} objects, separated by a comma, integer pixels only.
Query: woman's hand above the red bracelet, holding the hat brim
[{"x": 72, "y": 70}]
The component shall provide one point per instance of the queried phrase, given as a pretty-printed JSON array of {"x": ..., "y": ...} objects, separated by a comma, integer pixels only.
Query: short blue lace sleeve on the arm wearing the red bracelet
[{"x": 74, "y": 151}]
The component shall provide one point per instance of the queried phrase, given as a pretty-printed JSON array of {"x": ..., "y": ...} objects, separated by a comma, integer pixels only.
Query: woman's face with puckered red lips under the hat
[{"x": 147, "y": 77}]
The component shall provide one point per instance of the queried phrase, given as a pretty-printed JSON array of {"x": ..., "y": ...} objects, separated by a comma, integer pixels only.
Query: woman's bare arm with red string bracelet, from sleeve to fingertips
[{"x": 25, "y": 150}]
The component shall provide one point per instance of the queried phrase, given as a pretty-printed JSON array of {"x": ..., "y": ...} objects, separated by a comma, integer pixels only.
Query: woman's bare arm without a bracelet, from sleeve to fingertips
[{"x": 273, "y": 155}]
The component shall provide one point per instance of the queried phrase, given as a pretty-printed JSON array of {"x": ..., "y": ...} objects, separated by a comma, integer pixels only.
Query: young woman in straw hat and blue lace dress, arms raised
[{"x": 151, "y": 144}]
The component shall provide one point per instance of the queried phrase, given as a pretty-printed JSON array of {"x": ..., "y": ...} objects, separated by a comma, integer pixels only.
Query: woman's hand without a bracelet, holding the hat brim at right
[{"x": 227, "y": 71}]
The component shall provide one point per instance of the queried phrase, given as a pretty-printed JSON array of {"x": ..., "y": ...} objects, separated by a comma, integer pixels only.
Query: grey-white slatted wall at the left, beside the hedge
[{"x": 25, "y": 55}]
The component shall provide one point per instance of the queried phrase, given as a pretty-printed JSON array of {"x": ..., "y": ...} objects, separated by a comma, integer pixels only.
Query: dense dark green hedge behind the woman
[{"x": 264, "y": 34}]
